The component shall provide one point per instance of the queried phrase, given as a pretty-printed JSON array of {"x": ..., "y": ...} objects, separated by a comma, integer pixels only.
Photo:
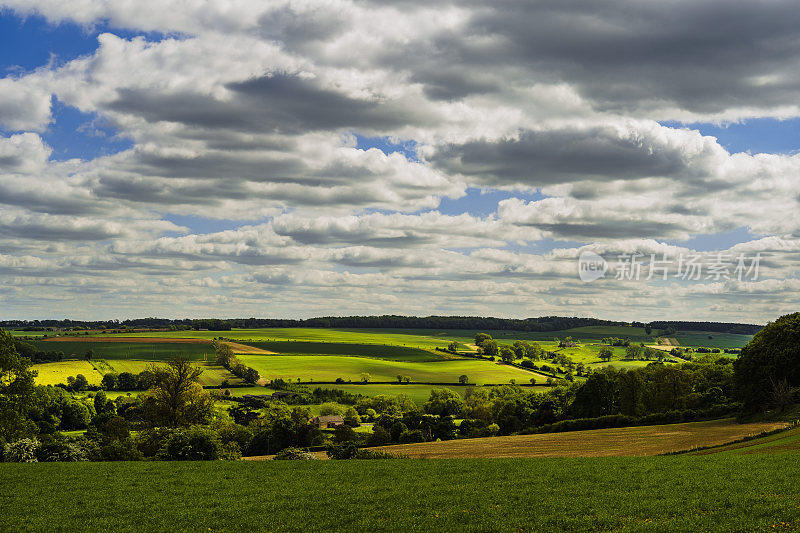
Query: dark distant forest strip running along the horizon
[{"x": 546, "y": 323}]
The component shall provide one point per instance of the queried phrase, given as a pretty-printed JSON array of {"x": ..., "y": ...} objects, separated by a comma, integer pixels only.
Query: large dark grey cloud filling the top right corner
[{"x": 623, "y": 55}]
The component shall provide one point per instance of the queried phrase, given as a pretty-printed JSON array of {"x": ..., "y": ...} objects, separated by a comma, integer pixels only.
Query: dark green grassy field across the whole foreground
[{"x": 715, "y": 493}]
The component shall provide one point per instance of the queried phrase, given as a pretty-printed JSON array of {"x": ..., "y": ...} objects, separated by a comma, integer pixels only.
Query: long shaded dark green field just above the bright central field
[{"x": 376, "y": 351}]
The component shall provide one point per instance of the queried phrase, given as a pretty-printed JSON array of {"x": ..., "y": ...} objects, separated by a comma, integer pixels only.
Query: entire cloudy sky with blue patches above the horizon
[{"x": 310, "y": 158}]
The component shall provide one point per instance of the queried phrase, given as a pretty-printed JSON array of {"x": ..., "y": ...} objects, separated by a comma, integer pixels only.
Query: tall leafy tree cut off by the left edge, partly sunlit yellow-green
[{"x": 16, "y": 392}]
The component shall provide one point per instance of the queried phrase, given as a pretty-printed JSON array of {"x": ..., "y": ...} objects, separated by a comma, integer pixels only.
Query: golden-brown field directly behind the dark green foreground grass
[{"x": 631, "y": 441}]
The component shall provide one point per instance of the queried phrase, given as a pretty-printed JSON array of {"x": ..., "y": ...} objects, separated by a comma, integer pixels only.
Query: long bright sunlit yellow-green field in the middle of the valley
[{"x": 330, "y": 367}]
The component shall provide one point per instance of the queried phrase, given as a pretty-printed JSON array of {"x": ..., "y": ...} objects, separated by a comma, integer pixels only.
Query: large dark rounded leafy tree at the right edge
[{"x": 770, "y": 362}]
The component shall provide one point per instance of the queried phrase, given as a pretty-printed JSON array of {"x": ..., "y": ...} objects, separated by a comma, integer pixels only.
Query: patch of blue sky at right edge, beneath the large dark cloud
[{"x": 762, "y": 135}]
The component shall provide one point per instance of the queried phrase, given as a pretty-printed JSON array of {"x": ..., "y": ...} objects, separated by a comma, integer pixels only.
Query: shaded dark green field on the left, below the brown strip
[{"x": 124, "y": 350}]
